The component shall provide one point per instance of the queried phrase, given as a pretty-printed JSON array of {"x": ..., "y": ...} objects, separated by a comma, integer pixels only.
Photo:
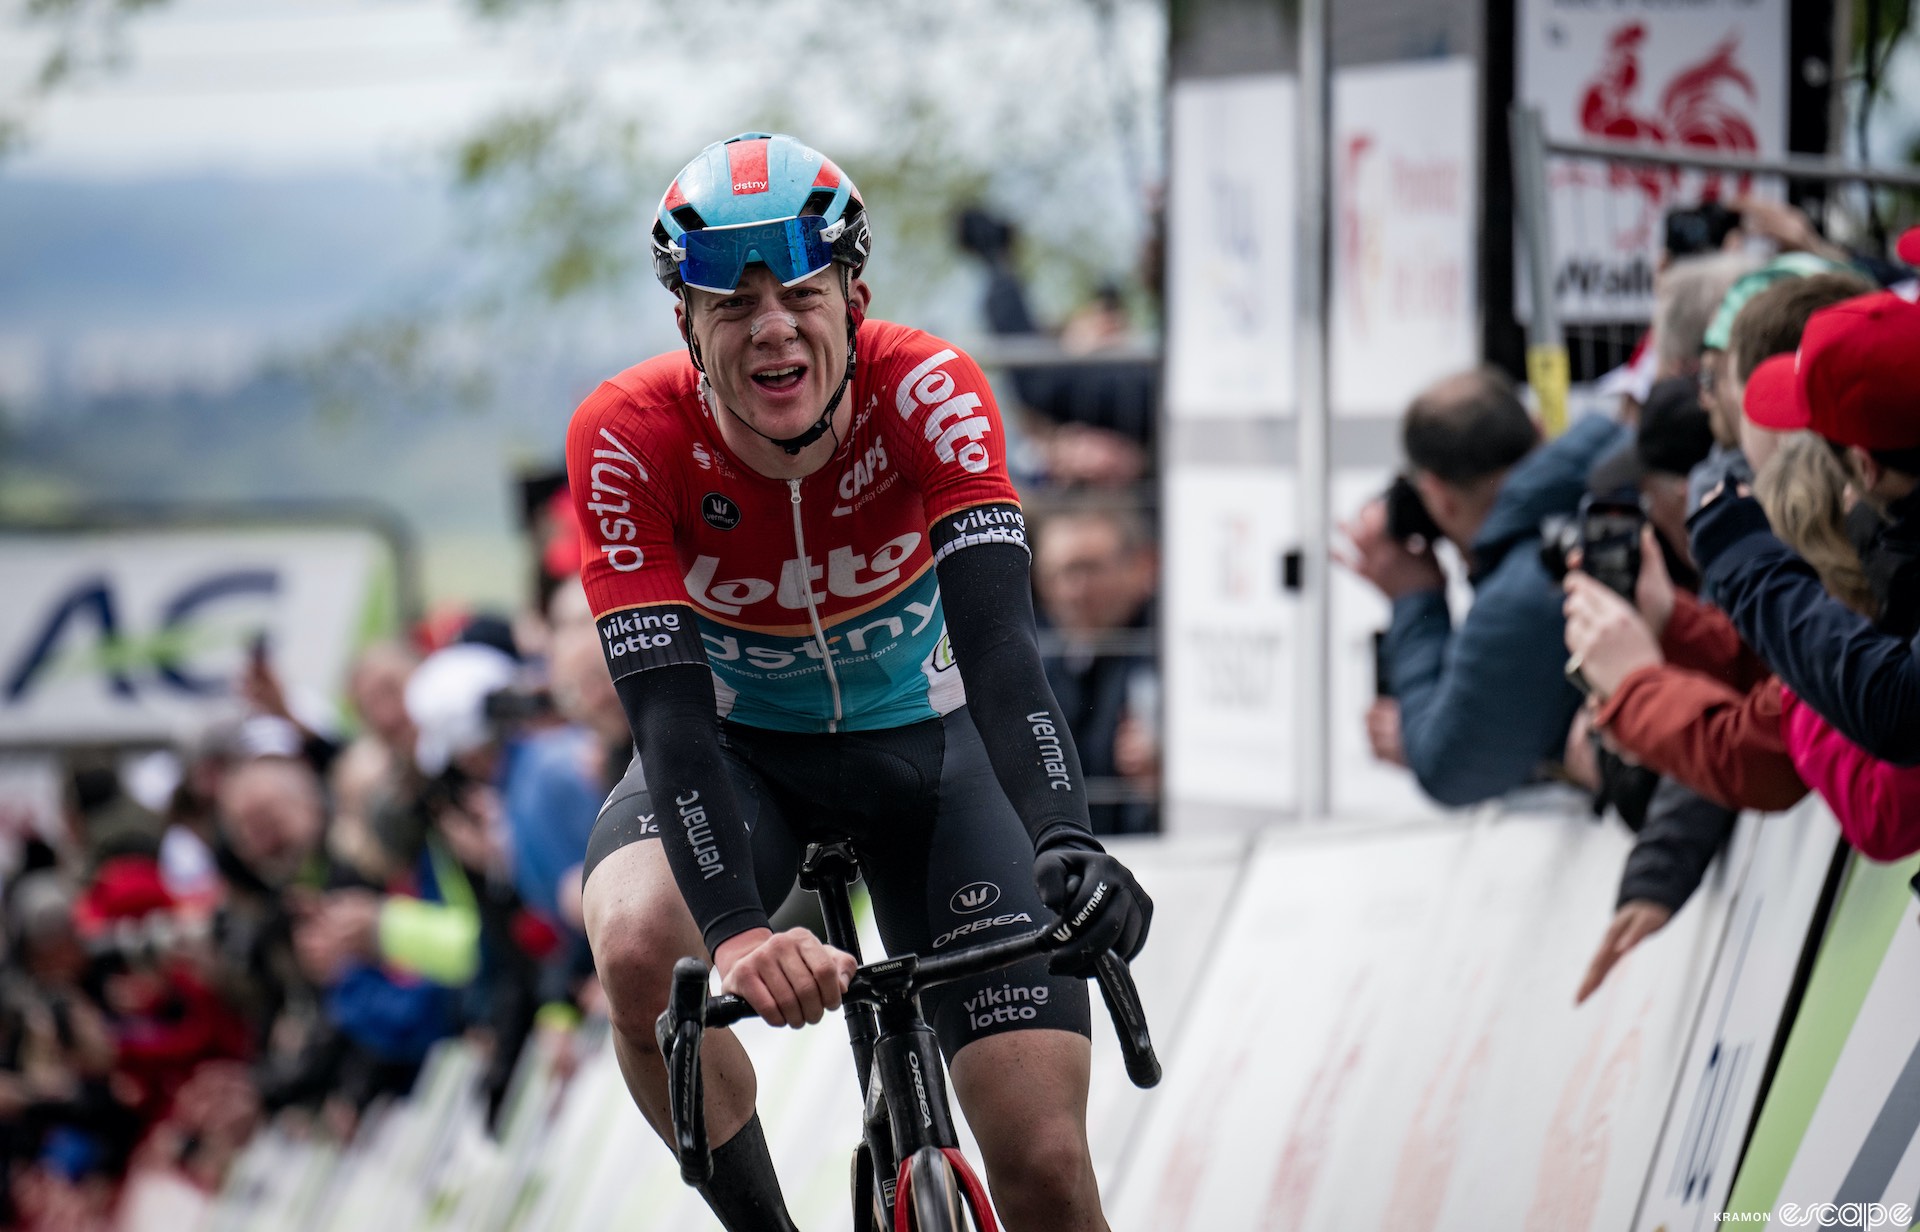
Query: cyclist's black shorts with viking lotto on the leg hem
[{"x": 946, "y": 859}]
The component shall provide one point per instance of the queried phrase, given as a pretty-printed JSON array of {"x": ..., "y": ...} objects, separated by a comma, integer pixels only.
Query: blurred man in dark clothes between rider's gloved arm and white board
[{"x": 1095, "y": 573}]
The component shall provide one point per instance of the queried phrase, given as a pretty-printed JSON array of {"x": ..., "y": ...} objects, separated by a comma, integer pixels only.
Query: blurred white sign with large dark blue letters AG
[{"x": 132, "y": 636}]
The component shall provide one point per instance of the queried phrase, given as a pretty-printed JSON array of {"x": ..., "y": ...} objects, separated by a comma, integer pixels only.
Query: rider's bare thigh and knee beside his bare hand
[{"x": 638, "y": 928}]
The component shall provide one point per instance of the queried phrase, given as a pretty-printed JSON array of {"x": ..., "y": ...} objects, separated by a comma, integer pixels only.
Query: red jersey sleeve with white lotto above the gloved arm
[{"x": 942, "y": 408}]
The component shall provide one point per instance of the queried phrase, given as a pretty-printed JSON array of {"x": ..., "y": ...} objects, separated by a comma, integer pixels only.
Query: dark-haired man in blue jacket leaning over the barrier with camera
[{"x": 1485, "y": 707}]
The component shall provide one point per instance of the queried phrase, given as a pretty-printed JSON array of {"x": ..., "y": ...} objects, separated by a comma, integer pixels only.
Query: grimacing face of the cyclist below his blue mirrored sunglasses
[{"x": 775, "y": 354}]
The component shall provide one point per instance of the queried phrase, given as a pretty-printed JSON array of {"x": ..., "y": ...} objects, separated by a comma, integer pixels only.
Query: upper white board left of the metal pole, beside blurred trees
[{"x": 1232, "y": 249}]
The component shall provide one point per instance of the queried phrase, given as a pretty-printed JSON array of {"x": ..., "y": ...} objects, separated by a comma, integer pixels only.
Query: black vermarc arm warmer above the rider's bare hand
[{"x": 677, "y": 730}]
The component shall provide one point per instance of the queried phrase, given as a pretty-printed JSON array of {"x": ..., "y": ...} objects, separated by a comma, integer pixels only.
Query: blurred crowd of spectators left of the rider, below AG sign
[{"x": 276, "y": 922}]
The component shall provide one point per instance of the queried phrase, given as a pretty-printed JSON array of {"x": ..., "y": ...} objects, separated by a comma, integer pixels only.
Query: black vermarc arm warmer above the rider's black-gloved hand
[{"x": 990, "y": 621}]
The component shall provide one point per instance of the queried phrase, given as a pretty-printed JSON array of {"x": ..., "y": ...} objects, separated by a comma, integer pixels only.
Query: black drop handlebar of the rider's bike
[{"x": 690, "y": 1012}]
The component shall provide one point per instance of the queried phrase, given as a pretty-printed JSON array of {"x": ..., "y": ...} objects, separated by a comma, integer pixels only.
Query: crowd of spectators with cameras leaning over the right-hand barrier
[{"x": 1704, "y": 605}]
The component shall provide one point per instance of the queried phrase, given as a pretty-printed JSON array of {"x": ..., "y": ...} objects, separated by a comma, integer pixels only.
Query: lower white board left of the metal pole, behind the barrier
[{"x": 1230, "y": 630}]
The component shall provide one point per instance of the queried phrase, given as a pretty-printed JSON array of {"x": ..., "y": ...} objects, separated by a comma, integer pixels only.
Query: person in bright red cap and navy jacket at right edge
[{"x": 1854, "y": 383}]
